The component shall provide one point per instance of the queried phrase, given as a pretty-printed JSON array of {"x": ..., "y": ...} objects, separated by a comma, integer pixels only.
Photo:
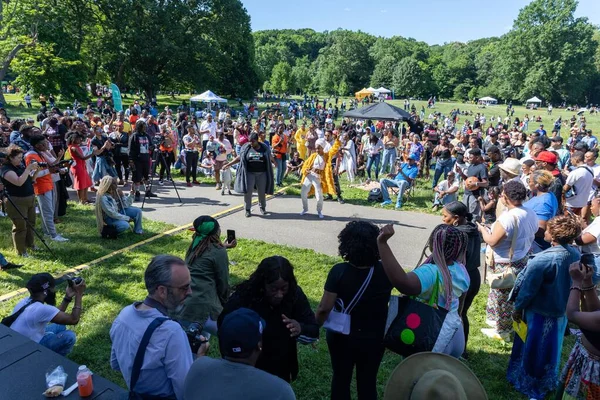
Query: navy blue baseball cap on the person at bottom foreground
[{"x": 240, "y": 332}]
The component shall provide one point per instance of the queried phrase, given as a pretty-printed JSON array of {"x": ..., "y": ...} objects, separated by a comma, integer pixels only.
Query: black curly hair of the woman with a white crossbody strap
[{"x": 358, "y": 243}]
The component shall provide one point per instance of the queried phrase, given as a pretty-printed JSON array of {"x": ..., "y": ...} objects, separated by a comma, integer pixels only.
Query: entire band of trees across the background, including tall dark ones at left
[{"x": 59, "y": 46}]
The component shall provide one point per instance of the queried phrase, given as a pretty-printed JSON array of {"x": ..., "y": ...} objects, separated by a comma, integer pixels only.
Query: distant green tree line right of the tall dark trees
[{"x": 548, "y": 53}]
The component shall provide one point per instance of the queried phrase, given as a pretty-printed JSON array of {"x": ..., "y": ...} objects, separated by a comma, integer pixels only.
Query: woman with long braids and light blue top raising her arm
[{"x": 446, "y": 268}]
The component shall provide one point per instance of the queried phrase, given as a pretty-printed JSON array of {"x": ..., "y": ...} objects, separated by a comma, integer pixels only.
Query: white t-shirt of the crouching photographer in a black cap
[{"x": 32, "y": 323}]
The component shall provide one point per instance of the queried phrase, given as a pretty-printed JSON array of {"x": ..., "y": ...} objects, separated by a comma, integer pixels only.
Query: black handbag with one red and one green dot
[{"x": 417, "y": 325}]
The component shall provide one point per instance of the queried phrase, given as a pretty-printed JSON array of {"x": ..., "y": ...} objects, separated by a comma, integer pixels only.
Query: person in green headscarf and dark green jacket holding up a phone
[{"x": 208, "y": 263}]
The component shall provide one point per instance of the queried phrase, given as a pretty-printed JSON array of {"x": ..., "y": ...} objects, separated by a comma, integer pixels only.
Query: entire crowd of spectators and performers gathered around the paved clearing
[{"x": 529, "y": 199}]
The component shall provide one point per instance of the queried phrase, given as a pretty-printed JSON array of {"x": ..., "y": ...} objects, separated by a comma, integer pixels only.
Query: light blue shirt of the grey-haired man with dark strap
[{"x": 168, "y": 356}]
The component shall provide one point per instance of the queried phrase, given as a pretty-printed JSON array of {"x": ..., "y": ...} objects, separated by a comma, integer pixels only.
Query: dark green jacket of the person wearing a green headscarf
[{"x": 210, "y": 286}]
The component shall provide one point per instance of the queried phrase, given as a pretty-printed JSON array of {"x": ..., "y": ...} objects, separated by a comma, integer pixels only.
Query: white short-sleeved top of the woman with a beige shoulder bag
[{"x": 527, "y": 227}]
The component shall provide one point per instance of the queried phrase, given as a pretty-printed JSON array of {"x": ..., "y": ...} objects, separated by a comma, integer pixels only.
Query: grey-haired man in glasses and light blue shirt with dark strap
[{"x": 145, "y": 327}]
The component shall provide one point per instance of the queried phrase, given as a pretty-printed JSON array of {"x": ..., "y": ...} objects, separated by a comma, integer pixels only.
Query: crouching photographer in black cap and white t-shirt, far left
[{"x": 38, "y": 318}]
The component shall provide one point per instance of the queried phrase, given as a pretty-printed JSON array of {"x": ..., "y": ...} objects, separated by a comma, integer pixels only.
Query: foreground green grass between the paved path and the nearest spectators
[{"x": 118, "y": 281}]
